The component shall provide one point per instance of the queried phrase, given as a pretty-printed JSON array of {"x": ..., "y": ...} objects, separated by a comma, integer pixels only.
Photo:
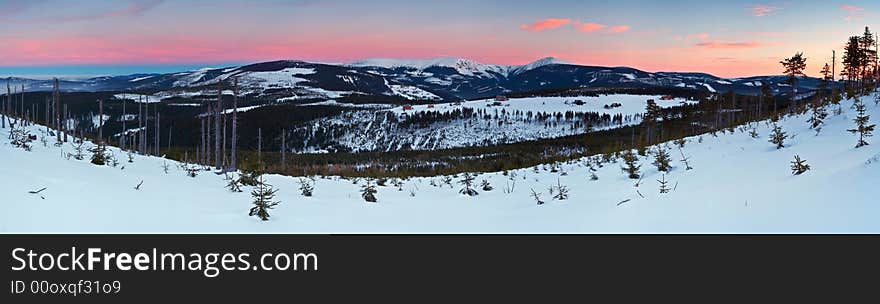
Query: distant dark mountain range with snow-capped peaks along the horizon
[{"x": 437, "y": 79}]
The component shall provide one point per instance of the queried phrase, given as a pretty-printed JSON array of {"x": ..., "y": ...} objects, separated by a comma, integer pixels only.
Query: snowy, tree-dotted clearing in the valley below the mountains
[{"x": 476, "y": 123}]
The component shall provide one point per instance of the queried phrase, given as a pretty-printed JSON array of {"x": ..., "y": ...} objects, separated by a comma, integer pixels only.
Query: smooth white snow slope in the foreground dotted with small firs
[{"x": 739, "y": 184}]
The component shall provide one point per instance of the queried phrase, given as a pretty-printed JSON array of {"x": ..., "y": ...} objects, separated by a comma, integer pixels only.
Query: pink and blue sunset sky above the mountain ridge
[{"x": 724, "y": 38}]
